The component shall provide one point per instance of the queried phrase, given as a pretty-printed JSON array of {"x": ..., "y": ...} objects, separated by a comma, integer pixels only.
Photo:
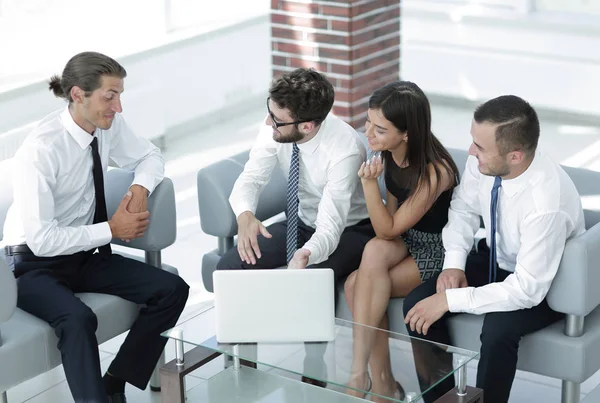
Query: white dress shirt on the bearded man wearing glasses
[{"x": 329, "y": 191}]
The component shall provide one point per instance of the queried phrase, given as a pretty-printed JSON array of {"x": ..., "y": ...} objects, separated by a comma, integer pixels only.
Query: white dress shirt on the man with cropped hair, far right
[{"x": 538, "y": 211}]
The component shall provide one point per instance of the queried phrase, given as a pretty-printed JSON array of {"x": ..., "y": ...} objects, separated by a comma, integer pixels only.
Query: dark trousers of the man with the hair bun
[{"x": 46, "y": 288}]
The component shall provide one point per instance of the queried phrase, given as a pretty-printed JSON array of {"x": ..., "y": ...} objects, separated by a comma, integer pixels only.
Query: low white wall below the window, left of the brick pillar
[{"x": 187, "y": 81}]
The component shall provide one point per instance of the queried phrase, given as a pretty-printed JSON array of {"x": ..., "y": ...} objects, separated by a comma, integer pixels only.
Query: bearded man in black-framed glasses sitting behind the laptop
[{"x": 327, "y": 222}]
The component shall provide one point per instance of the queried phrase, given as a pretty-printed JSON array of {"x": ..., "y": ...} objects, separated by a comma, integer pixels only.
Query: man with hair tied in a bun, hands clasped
[{"x": 59, "y": 219}]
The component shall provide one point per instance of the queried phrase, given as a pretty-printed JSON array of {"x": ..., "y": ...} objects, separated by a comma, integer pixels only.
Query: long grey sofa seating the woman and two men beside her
[{"x": 568, "y": 350}]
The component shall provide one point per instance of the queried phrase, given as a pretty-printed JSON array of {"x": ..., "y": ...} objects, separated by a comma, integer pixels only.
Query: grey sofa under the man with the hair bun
[{"x": 28, "y": 344}]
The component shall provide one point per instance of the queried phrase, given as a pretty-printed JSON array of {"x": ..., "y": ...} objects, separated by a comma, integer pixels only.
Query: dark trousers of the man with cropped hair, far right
[{"x": 500, "y": 335}]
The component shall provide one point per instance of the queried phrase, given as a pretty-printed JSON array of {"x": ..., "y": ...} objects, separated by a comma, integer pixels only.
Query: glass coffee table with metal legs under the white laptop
[{"x": 271, "y": 372}]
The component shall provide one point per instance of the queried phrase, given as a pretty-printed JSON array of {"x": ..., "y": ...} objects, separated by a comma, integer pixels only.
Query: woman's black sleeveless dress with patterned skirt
[{"x": 424, "y": 239}]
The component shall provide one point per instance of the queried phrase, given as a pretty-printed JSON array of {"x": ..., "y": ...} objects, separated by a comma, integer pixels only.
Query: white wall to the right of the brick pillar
[{"x": 476, "y": 52}]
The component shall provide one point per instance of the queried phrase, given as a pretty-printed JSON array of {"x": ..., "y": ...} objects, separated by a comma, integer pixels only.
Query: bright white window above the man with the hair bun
[{"x": 38, "y": 36}]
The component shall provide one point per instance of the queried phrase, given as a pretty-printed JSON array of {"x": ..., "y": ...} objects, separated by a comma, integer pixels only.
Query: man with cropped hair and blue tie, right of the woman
[{"x": 530, "y": 208}]
